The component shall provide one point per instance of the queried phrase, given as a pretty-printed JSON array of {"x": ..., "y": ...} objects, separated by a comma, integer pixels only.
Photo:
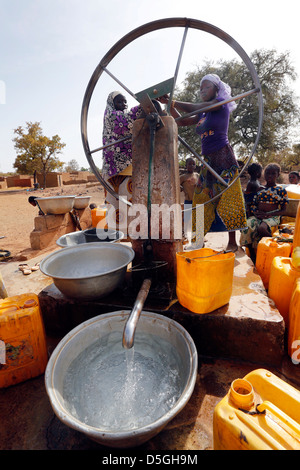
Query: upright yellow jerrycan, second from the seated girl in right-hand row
[{"x": 281, "y": 283}]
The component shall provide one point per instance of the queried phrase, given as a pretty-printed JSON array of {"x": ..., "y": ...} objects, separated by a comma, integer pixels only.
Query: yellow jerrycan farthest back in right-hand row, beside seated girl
[{"x": 267, "y": 250}]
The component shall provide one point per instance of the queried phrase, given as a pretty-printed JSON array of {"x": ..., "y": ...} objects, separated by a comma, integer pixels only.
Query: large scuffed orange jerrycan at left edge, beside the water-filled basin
[{"x": 23, "y": 351}]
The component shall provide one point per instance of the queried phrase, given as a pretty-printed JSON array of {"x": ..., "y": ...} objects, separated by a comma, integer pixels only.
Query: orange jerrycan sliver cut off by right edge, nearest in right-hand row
[{"x": 294, "y": 324}]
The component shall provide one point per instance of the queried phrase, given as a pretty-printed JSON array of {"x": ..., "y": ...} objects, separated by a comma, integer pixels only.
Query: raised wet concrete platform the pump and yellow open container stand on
[{"x": 249, "y": 328}]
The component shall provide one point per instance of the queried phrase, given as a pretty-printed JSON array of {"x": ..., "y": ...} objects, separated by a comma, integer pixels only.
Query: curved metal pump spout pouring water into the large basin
[{"x": 131, "y": 324}]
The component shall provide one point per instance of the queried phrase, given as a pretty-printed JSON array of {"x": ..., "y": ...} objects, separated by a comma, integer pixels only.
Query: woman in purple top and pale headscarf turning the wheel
[{"x": 226, "y": 213}]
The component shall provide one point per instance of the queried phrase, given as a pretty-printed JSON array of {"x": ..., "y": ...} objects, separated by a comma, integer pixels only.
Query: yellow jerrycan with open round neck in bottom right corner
[{"x": 259, "y": 412}]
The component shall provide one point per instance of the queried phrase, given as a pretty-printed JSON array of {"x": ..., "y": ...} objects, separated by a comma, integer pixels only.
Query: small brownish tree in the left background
[{"x": 36, "y": 152}]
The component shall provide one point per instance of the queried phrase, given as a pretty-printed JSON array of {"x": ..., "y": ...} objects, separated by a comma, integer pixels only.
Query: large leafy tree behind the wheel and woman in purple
[{"x": 281, "y": 113}]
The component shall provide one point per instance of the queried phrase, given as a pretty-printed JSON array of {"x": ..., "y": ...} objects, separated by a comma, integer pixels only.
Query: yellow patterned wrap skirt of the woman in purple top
[{"x": 227, "y": 213}]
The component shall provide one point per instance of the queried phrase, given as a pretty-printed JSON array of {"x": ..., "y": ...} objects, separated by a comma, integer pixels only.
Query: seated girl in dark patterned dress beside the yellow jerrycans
[{"x": 265, "y": 211}]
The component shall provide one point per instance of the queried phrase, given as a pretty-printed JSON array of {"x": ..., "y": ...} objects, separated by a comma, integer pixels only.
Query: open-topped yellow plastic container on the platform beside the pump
[{"x": 204, "y": 279}]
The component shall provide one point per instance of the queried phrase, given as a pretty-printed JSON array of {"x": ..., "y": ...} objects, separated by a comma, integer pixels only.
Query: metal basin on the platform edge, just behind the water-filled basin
[{"x": 88, "y": 271}]
